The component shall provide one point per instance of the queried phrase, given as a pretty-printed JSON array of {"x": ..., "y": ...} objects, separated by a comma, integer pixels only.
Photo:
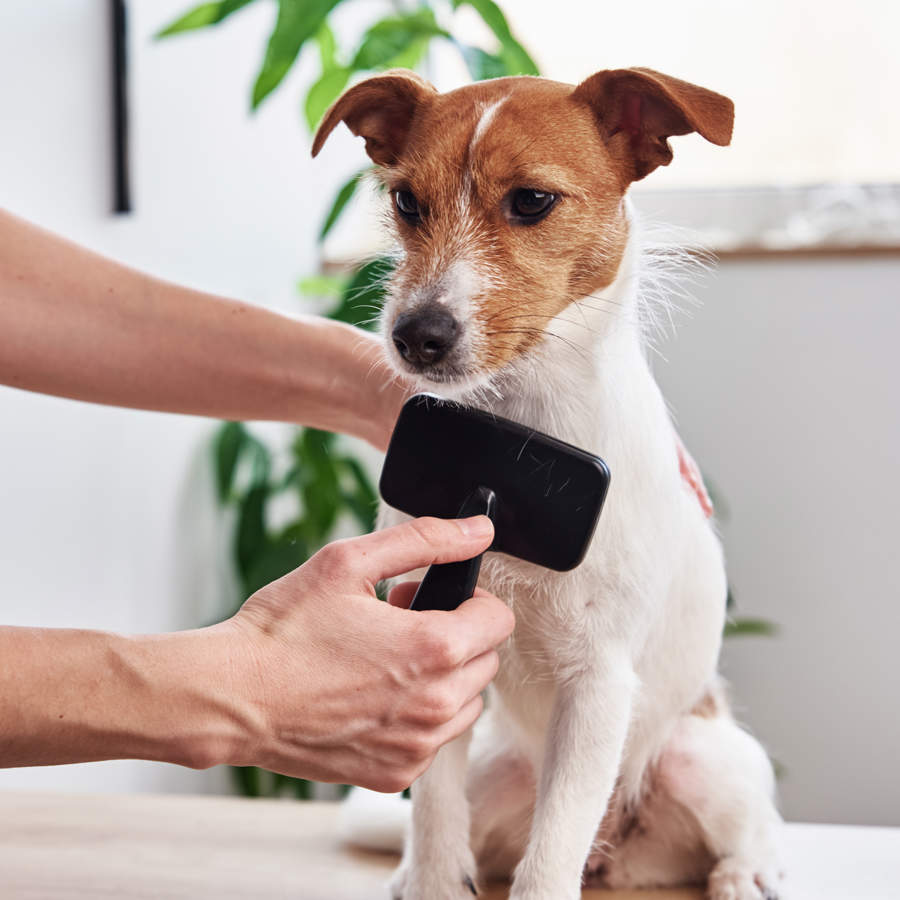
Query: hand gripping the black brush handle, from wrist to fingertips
[{"x": 337, "y": 686}]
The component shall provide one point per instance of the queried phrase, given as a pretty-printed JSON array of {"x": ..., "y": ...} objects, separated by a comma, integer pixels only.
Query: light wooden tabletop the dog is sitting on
[{"x": 60, "y": 846}]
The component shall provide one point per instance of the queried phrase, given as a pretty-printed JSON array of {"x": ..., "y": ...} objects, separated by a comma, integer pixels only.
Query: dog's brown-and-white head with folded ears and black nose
[{"x": 507, "y": 198}]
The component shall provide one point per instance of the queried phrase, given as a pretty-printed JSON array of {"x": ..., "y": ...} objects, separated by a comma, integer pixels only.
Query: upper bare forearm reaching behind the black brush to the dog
[{"x": 77, "y": 325}]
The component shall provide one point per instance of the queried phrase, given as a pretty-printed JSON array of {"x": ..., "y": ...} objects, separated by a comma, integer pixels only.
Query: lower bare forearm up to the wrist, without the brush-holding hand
[{"x": 77, "y": 696}]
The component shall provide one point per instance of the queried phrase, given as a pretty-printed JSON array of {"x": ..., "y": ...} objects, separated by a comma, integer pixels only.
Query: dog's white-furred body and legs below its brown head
[{"x": 594, "y": 685}]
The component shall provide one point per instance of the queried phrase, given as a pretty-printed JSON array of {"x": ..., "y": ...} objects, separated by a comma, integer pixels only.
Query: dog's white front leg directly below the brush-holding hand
[{"x": 437, "y": 860}]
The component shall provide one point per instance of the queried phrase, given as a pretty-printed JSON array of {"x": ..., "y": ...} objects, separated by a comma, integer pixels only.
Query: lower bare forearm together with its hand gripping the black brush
[{"x": 314, "y": 677}]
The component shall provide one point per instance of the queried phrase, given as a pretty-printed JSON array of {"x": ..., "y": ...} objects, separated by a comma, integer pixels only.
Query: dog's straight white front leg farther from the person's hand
[{"x": 581, "y": 762}]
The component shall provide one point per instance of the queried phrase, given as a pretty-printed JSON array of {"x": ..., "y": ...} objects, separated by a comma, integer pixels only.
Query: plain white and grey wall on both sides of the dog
[{"x": 782, "y": 382}]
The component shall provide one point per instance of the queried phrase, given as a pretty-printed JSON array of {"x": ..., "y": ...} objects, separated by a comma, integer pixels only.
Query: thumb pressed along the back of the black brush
[{"x": 419, "y": 542}]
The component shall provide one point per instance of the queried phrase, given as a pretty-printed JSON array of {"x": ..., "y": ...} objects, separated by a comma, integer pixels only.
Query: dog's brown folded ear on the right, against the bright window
[{"x": 638, "y": 109}]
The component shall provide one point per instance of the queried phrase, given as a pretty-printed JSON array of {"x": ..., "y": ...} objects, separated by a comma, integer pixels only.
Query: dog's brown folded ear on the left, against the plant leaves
[{"x": 380, "y": 109}]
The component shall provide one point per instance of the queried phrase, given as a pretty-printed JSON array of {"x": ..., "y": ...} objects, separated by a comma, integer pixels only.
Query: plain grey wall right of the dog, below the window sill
[{"x": 785, "y": 387}]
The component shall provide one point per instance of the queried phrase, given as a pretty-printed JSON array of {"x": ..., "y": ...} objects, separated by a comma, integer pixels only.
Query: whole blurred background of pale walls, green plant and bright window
[{"x": 783, "y": 377}]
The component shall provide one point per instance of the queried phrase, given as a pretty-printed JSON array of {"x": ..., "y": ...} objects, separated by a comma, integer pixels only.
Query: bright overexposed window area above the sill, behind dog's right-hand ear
[{"x": 787, "y": 64}]
